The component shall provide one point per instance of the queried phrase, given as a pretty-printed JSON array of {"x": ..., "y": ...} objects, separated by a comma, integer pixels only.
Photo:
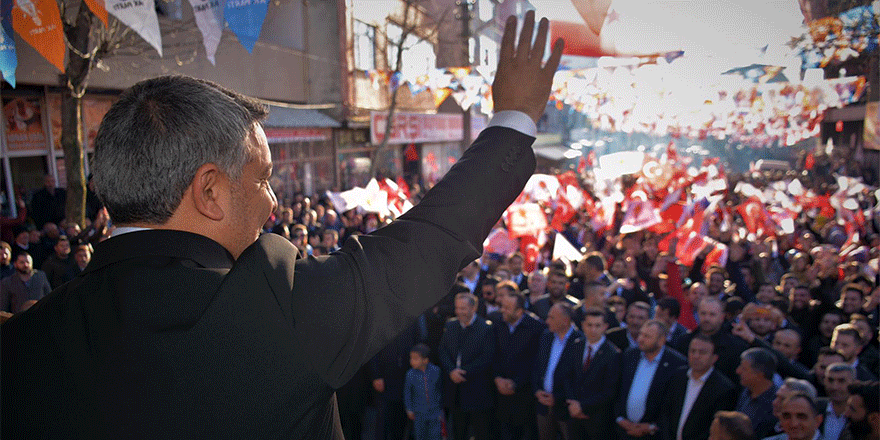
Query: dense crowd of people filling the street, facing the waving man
[{"x": 780, "y": 341}]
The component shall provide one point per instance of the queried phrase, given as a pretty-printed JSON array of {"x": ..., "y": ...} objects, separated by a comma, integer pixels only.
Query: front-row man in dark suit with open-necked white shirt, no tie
[{"x": 695, "y": 394}]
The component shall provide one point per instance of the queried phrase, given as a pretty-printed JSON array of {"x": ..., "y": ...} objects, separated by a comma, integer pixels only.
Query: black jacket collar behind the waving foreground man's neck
[{"x": 161, "y": 243}]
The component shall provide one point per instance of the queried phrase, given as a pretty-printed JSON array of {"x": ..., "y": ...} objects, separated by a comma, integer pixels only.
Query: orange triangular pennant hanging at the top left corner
[{"x": 39, "y": 23}]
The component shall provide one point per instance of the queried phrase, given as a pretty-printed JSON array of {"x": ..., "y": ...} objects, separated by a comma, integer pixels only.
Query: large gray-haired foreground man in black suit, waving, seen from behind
[{"x": 201, "y": 328}]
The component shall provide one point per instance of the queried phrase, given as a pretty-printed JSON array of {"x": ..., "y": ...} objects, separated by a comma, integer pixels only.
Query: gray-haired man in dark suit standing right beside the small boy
[{"x": 466, "y": 353}]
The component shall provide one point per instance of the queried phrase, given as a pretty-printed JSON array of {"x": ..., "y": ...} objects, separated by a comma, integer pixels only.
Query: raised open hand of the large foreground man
[{"x": 521, "y": 82}]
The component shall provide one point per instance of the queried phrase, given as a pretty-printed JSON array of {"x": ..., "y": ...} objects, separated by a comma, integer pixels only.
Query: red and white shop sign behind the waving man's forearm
[{"x": 416, "y": 128}]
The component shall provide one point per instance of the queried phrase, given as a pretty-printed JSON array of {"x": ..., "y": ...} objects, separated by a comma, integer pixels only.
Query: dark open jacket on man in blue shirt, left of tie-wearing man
[{"x": 569, "y": 357}]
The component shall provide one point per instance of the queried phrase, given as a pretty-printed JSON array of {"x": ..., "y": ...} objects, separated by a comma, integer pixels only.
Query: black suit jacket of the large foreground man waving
[{"x": 166, "y": 335}]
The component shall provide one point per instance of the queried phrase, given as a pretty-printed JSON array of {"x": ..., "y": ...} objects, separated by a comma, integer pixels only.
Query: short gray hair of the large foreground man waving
[{"x": 158, "y": 134}]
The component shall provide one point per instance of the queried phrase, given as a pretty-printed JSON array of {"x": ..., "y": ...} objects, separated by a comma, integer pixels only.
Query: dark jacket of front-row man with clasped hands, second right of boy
[{"x": 514, "y": 359}]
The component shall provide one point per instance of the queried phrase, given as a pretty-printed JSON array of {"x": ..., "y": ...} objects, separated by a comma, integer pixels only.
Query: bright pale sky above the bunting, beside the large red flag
[{"x": 716, "y": 35}]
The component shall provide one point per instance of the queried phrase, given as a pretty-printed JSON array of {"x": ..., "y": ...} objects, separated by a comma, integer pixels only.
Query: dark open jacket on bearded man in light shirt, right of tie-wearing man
[{"x": 670, "y": 361}]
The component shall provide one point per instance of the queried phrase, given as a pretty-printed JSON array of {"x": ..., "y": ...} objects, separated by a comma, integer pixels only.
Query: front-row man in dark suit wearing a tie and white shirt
[{"x": 592, "y": 383}]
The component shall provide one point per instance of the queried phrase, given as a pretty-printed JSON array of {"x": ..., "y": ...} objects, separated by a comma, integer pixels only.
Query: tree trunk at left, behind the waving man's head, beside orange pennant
[{"x": 74, "y": 82}]
